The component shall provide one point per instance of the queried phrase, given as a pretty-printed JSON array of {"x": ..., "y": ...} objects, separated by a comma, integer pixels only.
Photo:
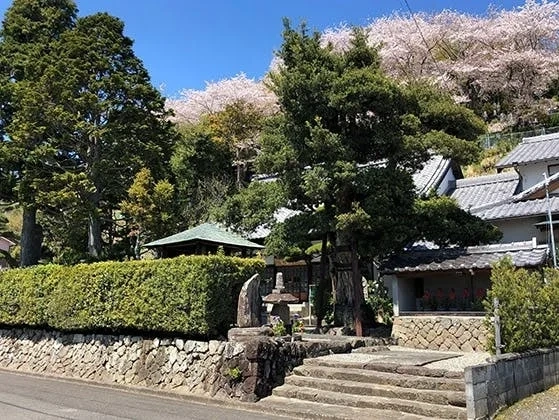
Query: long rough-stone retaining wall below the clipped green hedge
[{"x": 226, "y": 369}]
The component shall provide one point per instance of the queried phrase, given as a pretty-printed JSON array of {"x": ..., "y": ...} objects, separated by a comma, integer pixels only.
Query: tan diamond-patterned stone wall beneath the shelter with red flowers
[{"x": 454, "y": 333}]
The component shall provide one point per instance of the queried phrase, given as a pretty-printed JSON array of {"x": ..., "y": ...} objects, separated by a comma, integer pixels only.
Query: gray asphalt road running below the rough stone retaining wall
[{"x": 32, "y": 397}]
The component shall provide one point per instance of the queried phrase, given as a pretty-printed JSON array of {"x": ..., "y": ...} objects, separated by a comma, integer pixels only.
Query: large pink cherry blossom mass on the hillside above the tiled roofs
[{"x": 501, "y": 63}]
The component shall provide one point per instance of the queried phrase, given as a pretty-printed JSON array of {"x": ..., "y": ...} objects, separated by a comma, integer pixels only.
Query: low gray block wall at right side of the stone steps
[{"x": 509, "y": 378}]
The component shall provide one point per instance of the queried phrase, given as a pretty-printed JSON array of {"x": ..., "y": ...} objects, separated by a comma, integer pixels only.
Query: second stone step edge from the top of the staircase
[{"x": 377, "y": 377}]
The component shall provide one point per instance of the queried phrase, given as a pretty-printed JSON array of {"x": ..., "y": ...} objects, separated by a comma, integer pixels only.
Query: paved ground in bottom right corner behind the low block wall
[{"x": 542, "y": 406}]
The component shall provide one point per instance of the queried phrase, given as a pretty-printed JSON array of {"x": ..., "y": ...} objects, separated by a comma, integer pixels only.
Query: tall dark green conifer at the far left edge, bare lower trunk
[{"x": 30, "y": 31}]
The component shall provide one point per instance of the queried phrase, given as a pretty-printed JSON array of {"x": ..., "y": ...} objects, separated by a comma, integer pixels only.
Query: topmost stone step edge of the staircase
[{"x": 387, "y": 367}]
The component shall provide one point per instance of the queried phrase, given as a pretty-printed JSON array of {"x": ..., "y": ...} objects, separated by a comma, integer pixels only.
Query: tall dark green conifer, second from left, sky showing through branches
[{"x": 109, "y": 120}]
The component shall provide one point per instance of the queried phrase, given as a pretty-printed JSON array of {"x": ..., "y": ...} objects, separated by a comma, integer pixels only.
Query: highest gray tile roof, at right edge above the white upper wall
[{"x": 532, "y": 149}]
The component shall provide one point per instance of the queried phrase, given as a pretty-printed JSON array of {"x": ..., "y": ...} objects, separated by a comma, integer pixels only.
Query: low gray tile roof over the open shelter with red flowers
[{"x": 523, "y": 254}]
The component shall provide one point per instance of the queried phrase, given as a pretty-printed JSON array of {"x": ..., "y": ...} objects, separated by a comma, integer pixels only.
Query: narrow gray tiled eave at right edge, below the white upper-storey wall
[{"x": 518, "y": 209}]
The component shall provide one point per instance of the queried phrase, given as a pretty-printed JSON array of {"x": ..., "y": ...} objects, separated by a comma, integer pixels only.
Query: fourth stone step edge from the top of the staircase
[{"x": 391, "y": 404}]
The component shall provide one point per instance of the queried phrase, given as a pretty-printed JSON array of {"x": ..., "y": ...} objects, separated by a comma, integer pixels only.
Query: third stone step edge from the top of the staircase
[{"x": 431, "y": 396}]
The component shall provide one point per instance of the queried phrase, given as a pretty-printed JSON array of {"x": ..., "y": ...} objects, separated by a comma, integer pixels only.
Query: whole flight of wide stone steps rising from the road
[{"x": 324, "y": 388}]
